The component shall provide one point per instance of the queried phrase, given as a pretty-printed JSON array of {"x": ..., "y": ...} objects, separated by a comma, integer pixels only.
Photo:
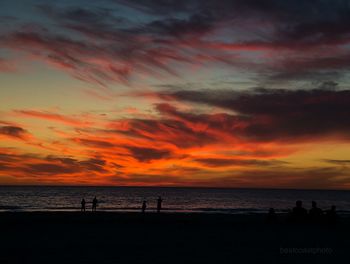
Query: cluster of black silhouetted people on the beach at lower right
[{"x": 300, "y": 214}]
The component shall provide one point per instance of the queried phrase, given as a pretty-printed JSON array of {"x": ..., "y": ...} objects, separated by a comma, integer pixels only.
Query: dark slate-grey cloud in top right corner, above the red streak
[{"x": 294, "y": 23}]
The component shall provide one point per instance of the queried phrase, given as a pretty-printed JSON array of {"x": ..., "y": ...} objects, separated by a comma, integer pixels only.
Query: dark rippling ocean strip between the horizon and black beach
[{"x": 183, "y": 200}]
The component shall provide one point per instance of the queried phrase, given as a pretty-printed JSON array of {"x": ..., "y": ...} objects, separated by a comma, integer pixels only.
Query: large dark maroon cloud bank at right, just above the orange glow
[{"x": 272, "y": 114}]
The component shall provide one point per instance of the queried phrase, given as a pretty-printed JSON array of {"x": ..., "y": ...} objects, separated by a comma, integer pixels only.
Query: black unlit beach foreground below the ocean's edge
[{"x": 167, "y": 238}]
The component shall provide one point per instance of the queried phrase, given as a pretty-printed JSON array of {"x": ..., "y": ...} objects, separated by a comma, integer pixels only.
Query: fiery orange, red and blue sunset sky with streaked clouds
[{"x": 202, "y": 93}]
